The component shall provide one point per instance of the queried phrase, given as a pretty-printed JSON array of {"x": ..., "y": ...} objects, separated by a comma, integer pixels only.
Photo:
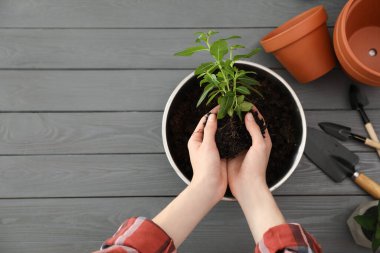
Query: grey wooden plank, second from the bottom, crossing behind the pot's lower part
[{"x": 129, "y": 175}]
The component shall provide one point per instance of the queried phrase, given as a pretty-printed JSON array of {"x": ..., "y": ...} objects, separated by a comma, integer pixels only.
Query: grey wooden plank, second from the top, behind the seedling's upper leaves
[{"x": 110, "y": 48}]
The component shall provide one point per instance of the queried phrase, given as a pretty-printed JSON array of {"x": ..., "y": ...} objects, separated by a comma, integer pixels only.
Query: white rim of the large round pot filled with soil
[{"x": 301, "y": 145}]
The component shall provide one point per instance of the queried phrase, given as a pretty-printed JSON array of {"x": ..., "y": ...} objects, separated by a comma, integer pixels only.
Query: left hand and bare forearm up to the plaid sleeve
[{"x": 207, "y": 186}]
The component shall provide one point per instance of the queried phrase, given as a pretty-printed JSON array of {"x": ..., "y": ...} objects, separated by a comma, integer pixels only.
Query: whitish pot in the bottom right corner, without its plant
[{"x": 356, "y": 230}]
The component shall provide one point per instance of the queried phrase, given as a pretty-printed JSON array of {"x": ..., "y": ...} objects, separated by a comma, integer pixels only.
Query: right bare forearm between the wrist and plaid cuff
[{"x": 260, "y": 209}]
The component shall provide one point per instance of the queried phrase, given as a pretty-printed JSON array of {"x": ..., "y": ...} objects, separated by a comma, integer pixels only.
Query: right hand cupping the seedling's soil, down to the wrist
[{"x": 247, "y": 171}]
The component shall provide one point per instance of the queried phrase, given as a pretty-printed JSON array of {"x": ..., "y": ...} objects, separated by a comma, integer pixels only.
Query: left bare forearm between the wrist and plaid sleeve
[{"x": 182, "y": 215}]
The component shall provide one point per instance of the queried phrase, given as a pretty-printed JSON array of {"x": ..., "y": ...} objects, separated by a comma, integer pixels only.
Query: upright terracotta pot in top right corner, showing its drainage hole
[{"x": 357, "y": 40}]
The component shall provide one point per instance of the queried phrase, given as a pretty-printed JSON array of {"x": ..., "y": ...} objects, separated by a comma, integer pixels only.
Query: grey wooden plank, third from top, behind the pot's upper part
[{"x": 122, "y": 90}]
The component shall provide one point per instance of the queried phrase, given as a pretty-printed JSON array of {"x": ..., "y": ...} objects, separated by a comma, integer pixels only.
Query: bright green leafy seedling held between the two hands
[{"x": 221, "y": 79}]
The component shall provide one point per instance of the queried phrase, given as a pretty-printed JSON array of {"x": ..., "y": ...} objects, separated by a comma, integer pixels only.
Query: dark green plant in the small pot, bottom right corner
[{"x": 370, "y": 222}]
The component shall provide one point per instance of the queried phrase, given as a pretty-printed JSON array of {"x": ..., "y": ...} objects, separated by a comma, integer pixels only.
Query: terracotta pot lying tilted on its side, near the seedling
[{"x": 303, "y": 45}]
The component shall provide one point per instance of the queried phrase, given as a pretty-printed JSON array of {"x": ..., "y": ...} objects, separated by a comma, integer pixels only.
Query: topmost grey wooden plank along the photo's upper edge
[{"x": 160, "y": 13}]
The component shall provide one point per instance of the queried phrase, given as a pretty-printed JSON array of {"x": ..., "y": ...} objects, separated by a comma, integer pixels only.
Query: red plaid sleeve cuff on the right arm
[{"x": 287, "y": 238}]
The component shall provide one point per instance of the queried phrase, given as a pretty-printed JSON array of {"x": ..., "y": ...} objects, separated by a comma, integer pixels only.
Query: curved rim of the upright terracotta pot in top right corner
[{"x": 341, "y": 32}]
